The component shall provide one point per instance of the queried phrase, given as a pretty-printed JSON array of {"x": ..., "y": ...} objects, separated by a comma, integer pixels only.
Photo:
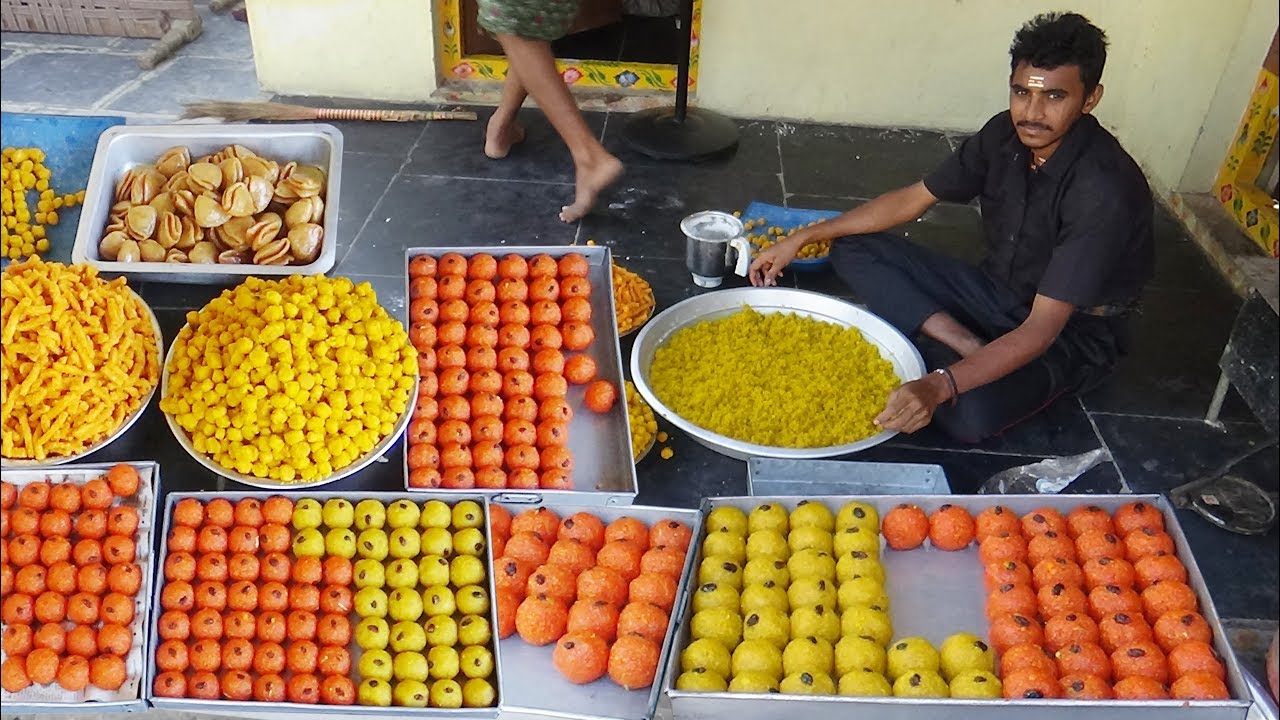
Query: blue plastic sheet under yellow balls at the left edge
[{"x": 70, "y": 144}]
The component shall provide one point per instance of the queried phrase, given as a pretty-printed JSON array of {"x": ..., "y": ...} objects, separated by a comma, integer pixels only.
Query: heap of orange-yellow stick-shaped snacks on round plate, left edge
[{"x": 80, "y": 356}]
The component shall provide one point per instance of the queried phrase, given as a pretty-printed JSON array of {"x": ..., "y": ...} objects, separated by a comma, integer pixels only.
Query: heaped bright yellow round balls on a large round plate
[{"x": 290, "y": 380}]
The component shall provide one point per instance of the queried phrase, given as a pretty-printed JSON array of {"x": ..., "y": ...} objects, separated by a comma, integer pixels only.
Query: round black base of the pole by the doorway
[{"x": 659, "y": 134}]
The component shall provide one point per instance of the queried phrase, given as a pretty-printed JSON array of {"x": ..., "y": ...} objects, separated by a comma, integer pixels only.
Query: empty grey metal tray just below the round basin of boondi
[{"x": 770, "y": 476}]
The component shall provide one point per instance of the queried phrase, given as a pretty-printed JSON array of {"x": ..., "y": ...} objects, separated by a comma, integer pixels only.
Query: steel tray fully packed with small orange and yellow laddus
[{"x": 262, "y": 709}]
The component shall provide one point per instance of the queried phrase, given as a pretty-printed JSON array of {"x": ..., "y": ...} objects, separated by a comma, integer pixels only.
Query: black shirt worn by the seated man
[{"x": 1077, "y": 230}]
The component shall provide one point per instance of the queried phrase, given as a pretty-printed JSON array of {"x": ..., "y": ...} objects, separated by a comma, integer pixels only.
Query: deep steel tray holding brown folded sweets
[{"x": 126, "y": 147}]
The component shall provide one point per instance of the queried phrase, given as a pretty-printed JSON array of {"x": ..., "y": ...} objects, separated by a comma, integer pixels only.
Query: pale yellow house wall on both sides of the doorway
[{"x": 1178, "y": 75}]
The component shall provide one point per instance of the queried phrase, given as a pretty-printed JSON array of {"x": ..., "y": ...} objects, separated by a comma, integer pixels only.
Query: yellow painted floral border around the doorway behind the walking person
[{"x": 580, "y": 74}]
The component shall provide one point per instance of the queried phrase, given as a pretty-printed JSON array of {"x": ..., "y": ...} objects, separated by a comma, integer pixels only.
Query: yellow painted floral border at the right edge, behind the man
[{"x": 1237, "y": 180}]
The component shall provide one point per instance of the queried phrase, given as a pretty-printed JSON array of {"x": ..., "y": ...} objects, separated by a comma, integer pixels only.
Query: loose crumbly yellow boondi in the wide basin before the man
[{"x": 778, "y": 380}]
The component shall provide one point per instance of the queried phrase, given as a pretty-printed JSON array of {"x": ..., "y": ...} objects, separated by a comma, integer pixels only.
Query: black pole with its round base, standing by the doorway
[{"x": 682, "y": 133}]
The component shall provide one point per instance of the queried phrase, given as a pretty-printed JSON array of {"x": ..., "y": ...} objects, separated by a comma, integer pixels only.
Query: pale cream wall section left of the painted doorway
[{"x": 372, "y": 49}]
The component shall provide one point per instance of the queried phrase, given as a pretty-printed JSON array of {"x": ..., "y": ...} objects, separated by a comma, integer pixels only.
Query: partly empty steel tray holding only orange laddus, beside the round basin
[{"x": 605, "y": 471}]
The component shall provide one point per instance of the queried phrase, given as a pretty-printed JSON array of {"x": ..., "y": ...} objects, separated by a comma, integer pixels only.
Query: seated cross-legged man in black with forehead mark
[{"x": 1068, "y": 220}]
